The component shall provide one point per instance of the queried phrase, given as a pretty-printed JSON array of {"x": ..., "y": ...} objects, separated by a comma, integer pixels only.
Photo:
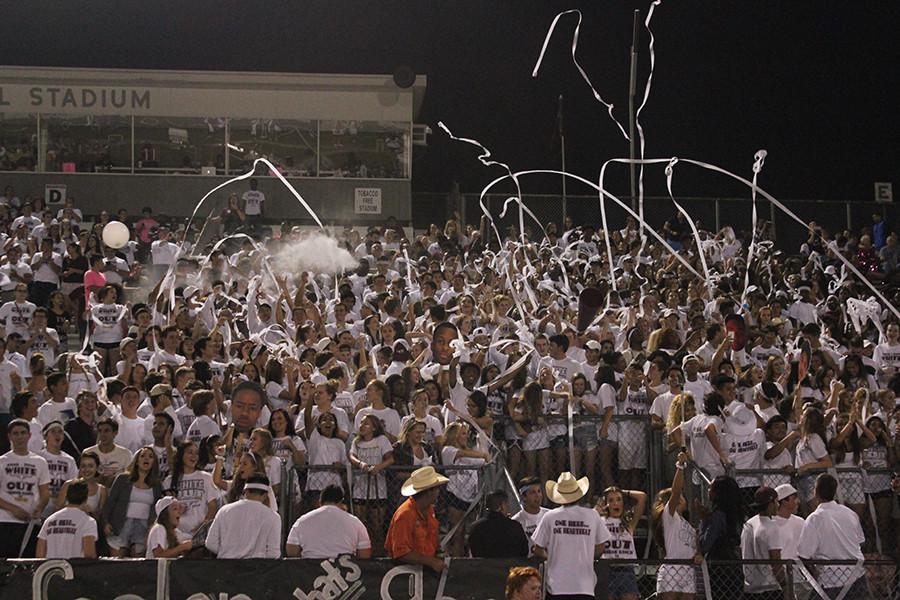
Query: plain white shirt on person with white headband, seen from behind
[{"x": 245, "y": 529}]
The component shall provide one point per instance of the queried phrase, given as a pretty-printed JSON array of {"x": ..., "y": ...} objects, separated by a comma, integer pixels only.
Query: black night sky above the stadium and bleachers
[{"x": 814, "y": 83}]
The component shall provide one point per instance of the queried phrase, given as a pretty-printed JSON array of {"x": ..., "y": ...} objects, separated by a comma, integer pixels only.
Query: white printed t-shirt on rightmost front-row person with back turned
[{"x": 833, "y": 532}]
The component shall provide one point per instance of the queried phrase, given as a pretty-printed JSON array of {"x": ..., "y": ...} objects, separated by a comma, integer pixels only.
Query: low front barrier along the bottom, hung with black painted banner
[{"x": 347, "y": 578}]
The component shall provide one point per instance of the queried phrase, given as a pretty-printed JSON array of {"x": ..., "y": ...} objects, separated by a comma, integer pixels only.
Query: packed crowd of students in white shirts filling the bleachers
[{"x": 164, "y": 370}]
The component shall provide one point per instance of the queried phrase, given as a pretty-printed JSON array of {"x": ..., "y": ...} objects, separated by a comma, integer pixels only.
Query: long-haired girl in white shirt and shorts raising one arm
[{"x": 676, "y": 539}]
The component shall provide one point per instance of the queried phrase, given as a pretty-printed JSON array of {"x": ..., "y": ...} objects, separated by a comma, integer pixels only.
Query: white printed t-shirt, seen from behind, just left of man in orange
[{"x": 328, "y": 532}]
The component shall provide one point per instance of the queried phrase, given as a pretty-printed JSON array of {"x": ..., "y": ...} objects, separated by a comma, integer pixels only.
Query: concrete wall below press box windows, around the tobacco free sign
[{"x": 177, "y": 195}]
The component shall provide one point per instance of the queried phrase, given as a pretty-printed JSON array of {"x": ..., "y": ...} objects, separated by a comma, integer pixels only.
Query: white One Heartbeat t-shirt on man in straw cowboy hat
[{"x": 569, "y": 534}]
